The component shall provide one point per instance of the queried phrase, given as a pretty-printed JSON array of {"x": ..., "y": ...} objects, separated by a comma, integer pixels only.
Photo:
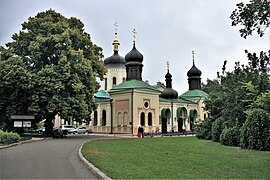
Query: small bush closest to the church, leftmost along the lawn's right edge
[{"x": 203, "y": 130}]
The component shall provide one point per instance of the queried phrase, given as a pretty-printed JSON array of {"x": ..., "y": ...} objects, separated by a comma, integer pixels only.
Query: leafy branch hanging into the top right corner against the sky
[{"x": 253, "y": 16}]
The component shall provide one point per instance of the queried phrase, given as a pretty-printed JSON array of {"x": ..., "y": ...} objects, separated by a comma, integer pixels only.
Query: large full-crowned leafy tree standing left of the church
[{"x": 63, "y": 63}]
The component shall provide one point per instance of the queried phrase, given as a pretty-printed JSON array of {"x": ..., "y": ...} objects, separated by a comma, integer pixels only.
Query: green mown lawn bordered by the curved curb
[{"x": 175, "y": 158}]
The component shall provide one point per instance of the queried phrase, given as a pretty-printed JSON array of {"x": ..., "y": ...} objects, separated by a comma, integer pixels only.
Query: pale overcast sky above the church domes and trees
[{"x": 168, "y": 30}]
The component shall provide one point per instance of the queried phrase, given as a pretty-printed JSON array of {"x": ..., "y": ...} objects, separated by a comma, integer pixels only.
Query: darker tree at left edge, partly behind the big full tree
[{"x": 14, "y": 87}]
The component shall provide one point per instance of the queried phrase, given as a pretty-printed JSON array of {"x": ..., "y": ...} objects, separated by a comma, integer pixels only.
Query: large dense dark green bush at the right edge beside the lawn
[{"x": 255, "y": 133}]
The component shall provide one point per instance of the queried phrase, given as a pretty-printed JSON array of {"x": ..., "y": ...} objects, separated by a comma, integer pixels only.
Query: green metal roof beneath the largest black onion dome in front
[{"x": 134, "y": 84}]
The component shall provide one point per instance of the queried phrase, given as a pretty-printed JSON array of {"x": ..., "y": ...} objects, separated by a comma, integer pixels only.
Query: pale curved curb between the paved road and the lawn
[{"x": 96, "y": 172}]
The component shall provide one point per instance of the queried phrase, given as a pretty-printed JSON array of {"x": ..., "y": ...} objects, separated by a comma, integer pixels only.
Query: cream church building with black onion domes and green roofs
[{"x": 125, "y": 102}]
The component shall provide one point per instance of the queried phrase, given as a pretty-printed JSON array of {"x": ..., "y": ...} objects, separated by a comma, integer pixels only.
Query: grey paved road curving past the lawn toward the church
[{"x": 47, "y": 159}]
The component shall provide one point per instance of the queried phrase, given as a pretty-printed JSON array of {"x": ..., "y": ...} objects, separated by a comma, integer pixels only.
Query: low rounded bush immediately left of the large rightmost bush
[{"x": 230, "y": 136}]
